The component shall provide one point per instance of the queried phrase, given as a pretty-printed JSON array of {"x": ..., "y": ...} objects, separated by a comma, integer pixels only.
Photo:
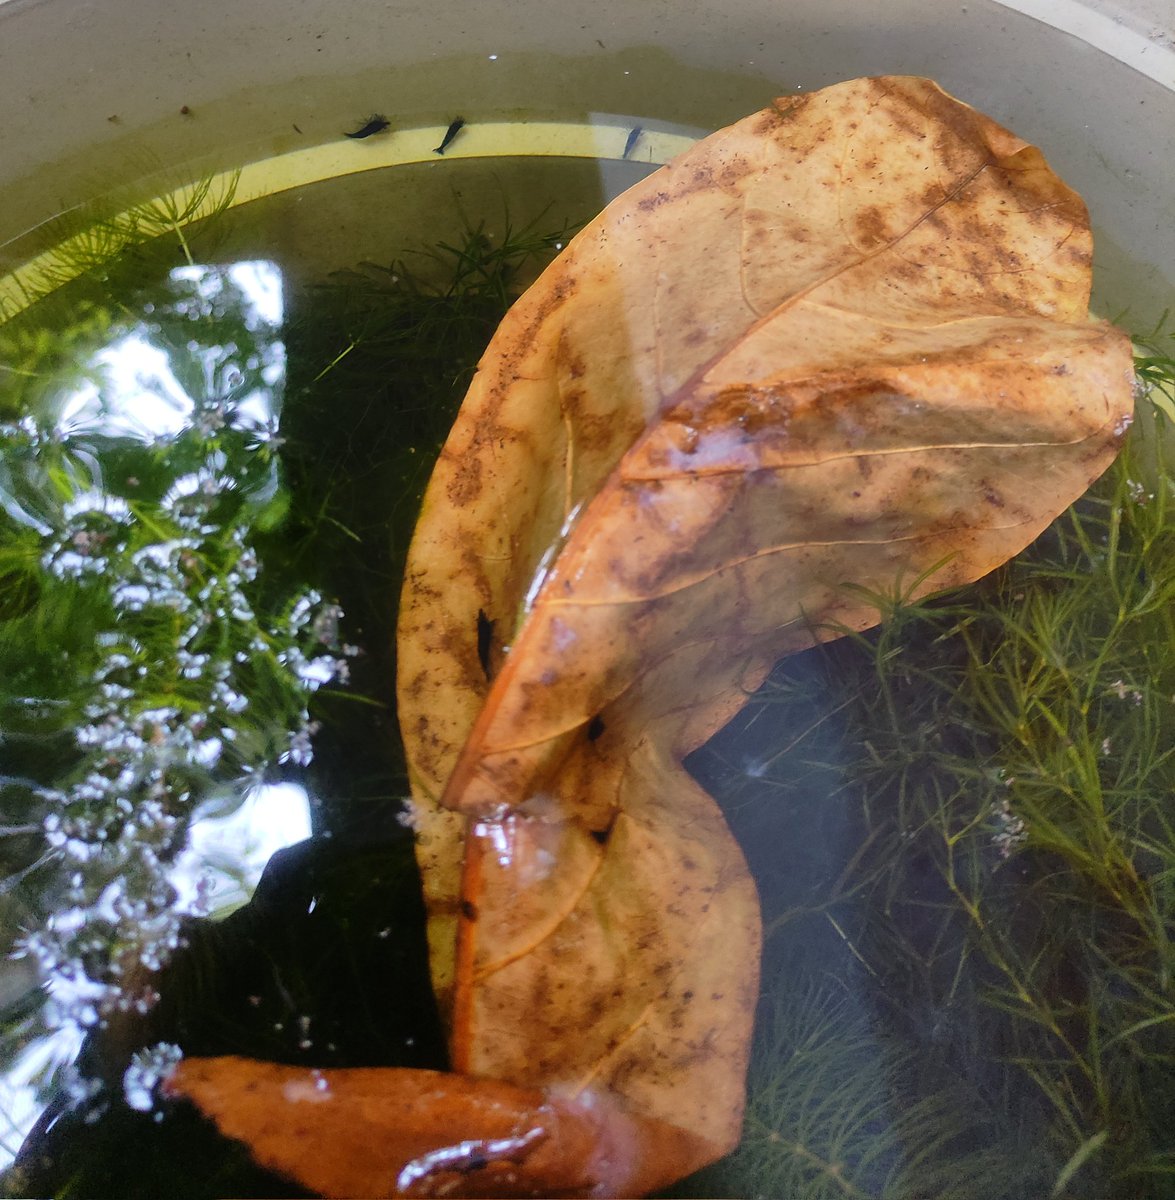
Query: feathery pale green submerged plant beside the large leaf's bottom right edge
[{"x": 830, "y": 1118}]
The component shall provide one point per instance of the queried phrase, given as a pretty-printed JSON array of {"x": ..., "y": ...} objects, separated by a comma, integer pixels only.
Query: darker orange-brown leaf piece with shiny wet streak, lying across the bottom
[{"x": 391, "y": 1132}]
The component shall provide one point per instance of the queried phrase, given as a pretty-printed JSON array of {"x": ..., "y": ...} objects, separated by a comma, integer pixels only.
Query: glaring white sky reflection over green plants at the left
[{"x": 154, "y": 677}]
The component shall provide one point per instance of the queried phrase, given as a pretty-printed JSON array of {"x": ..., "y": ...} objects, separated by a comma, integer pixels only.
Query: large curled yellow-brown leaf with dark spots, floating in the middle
[{"x": 842, "y": 346}]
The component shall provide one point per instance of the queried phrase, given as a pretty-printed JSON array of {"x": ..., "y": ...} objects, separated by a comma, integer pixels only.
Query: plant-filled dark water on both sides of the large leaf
[{"x": 209, "y": 489}]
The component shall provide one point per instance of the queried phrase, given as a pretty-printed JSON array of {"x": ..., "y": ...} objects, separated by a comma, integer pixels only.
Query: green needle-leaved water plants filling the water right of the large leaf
[{"x": 980, "y": 797}]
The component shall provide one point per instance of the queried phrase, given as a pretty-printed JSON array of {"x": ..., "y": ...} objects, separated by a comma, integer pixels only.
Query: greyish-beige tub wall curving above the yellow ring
[{"x": 98, "y": 95}]
